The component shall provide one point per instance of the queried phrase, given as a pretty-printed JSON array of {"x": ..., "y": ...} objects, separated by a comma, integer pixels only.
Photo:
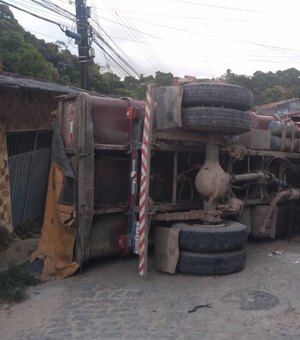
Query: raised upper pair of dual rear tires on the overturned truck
[{"x": 216, "y": 108}]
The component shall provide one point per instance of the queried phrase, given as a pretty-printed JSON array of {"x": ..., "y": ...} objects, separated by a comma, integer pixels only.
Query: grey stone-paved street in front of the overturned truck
[{"x": 110, "y": 301}]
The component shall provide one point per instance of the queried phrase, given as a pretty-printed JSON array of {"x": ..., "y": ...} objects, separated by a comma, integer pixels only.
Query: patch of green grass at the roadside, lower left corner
[{"x": 13, "y": 284}]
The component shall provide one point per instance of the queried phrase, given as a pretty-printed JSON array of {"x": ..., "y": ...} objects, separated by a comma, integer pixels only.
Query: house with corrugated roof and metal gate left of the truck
[{"x": 25, "y": 146}]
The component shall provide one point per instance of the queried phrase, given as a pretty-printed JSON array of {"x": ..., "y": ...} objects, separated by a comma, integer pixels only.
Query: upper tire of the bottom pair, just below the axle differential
[{"x": 204, "y": 238}]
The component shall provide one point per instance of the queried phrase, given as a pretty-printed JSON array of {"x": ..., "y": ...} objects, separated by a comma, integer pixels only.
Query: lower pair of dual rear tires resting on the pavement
[{"x": 211, "y": 250}]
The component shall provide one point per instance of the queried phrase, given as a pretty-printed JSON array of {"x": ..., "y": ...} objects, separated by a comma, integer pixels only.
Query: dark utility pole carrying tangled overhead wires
[{"x": 83, "y": 27}]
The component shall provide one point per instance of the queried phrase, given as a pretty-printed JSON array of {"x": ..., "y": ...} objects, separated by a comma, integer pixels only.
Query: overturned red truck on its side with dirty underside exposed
[{"x": 192, "y": 171}]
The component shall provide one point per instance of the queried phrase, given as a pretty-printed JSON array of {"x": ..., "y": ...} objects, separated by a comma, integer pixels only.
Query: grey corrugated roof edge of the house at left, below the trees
[{"x": 15, "y": 82}]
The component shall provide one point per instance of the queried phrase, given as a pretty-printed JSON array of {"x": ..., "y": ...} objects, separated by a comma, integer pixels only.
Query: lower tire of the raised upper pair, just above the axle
[{"x": 212, "y": 119}]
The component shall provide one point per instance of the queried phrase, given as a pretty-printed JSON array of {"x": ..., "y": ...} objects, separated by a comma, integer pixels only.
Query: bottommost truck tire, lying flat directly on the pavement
[{"x": 211, "y": 263}]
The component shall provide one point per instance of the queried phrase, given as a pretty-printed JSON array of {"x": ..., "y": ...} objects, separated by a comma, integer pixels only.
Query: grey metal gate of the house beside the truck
[{"x": 28, "y": 161}]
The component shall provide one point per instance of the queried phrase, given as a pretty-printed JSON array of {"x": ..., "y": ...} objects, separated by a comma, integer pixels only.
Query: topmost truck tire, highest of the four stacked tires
[{"x": 219, "y": 95}]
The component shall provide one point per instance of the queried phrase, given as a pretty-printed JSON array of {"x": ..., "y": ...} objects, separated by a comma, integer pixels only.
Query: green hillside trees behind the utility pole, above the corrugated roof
[{"x": 24, "y": 54}]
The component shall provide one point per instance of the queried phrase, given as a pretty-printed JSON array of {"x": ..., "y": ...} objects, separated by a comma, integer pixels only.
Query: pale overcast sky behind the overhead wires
[{"x": 202, "y": 38}]
